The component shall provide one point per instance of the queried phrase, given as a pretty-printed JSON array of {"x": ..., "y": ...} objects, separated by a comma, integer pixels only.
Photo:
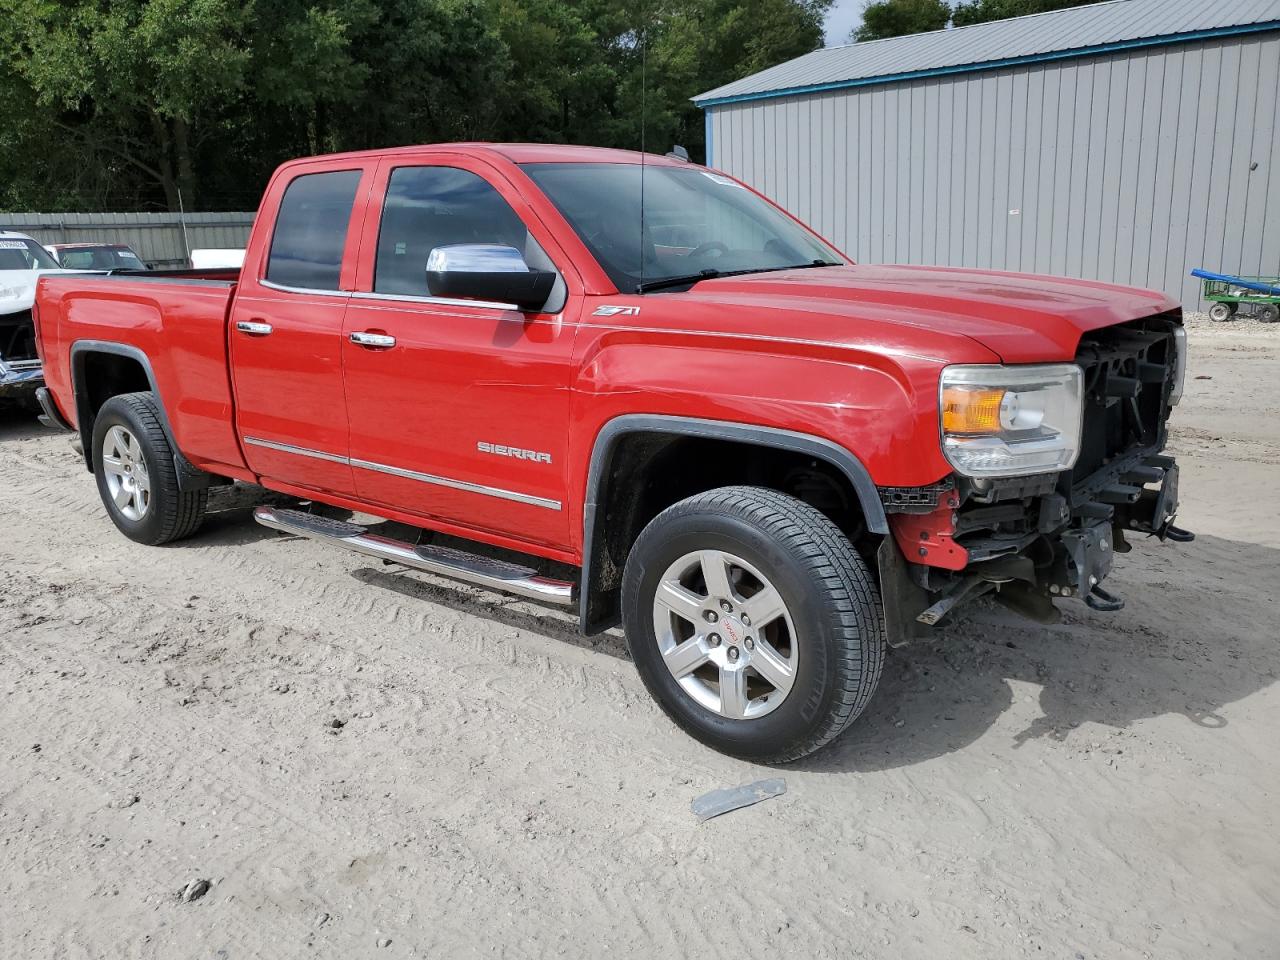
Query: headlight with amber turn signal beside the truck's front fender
[{"x": 1011, "y": 420}]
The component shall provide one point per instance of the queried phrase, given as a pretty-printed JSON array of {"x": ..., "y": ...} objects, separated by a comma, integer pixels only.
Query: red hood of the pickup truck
[{"x": 1021, "y": 318}]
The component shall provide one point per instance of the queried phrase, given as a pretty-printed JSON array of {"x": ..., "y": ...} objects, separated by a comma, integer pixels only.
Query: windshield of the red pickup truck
[{"x": 696, "y": 223}]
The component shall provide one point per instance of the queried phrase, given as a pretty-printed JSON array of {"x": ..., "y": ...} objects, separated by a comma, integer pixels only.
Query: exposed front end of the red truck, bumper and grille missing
[{"x": 1052, "y": 532}]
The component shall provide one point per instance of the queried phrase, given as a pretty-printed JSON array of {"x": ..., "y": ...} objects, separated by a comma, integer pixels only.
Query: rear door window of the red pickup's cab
[{"x": 312, "y": 231}]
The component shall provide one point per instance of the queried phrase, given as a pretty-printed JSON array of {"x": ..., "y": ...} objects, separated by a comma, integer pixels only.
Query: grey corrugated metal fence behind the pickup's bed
[{"x": 158, "y": 239}]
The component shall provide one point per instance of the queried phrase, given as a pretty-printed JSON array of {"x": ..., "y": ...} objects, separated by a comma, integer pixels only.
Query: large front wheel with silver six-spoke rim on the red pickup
[{"x": 829, "y": 638}]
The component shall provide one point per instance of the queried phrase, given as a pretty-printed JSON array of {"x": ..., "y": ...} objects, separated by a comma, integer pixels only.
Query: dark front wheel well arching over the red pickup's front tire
[{"x": 650, "y": 472}]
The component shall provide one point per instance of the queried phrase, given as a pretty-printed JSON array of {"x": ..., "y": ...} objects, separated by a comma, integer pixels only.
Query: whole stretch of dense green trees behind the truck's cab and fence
[{"x": 132, "y": 104}]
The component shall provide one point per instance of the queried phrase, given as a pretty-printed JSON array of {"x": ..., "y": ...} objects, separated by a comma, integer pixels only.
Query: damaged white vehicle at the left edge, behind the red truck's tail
[{"x": 22, "y": 262}]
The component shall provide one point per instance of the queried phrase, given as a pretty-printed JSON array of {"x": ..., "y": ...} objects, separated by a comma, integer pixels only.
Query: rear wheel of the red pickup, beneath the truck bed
[{"x": 131, "y": 451}]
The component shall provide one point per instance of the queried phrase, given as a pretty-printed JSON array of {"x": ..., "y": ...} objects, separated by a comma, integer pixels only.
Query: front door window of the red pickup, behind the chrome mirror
[{"x": 438, "y": 207}]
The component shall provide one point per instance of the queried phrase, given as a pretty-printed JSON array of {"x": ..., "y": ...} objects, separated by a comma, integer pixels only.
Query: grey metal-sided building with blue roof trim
[{"x": 1127, "y": 141}]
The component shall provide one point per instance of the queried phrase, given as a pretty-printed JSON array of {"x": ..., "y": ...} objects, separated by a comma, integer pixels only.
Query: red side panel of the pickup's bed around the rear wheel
[{"x": 173, "y": 324}]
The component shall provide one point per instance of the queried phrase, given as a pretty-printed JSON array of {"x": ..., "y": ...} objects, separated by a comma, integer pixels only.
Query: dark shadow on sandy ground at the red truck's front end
[{"x": 1183, "y": 646}]
